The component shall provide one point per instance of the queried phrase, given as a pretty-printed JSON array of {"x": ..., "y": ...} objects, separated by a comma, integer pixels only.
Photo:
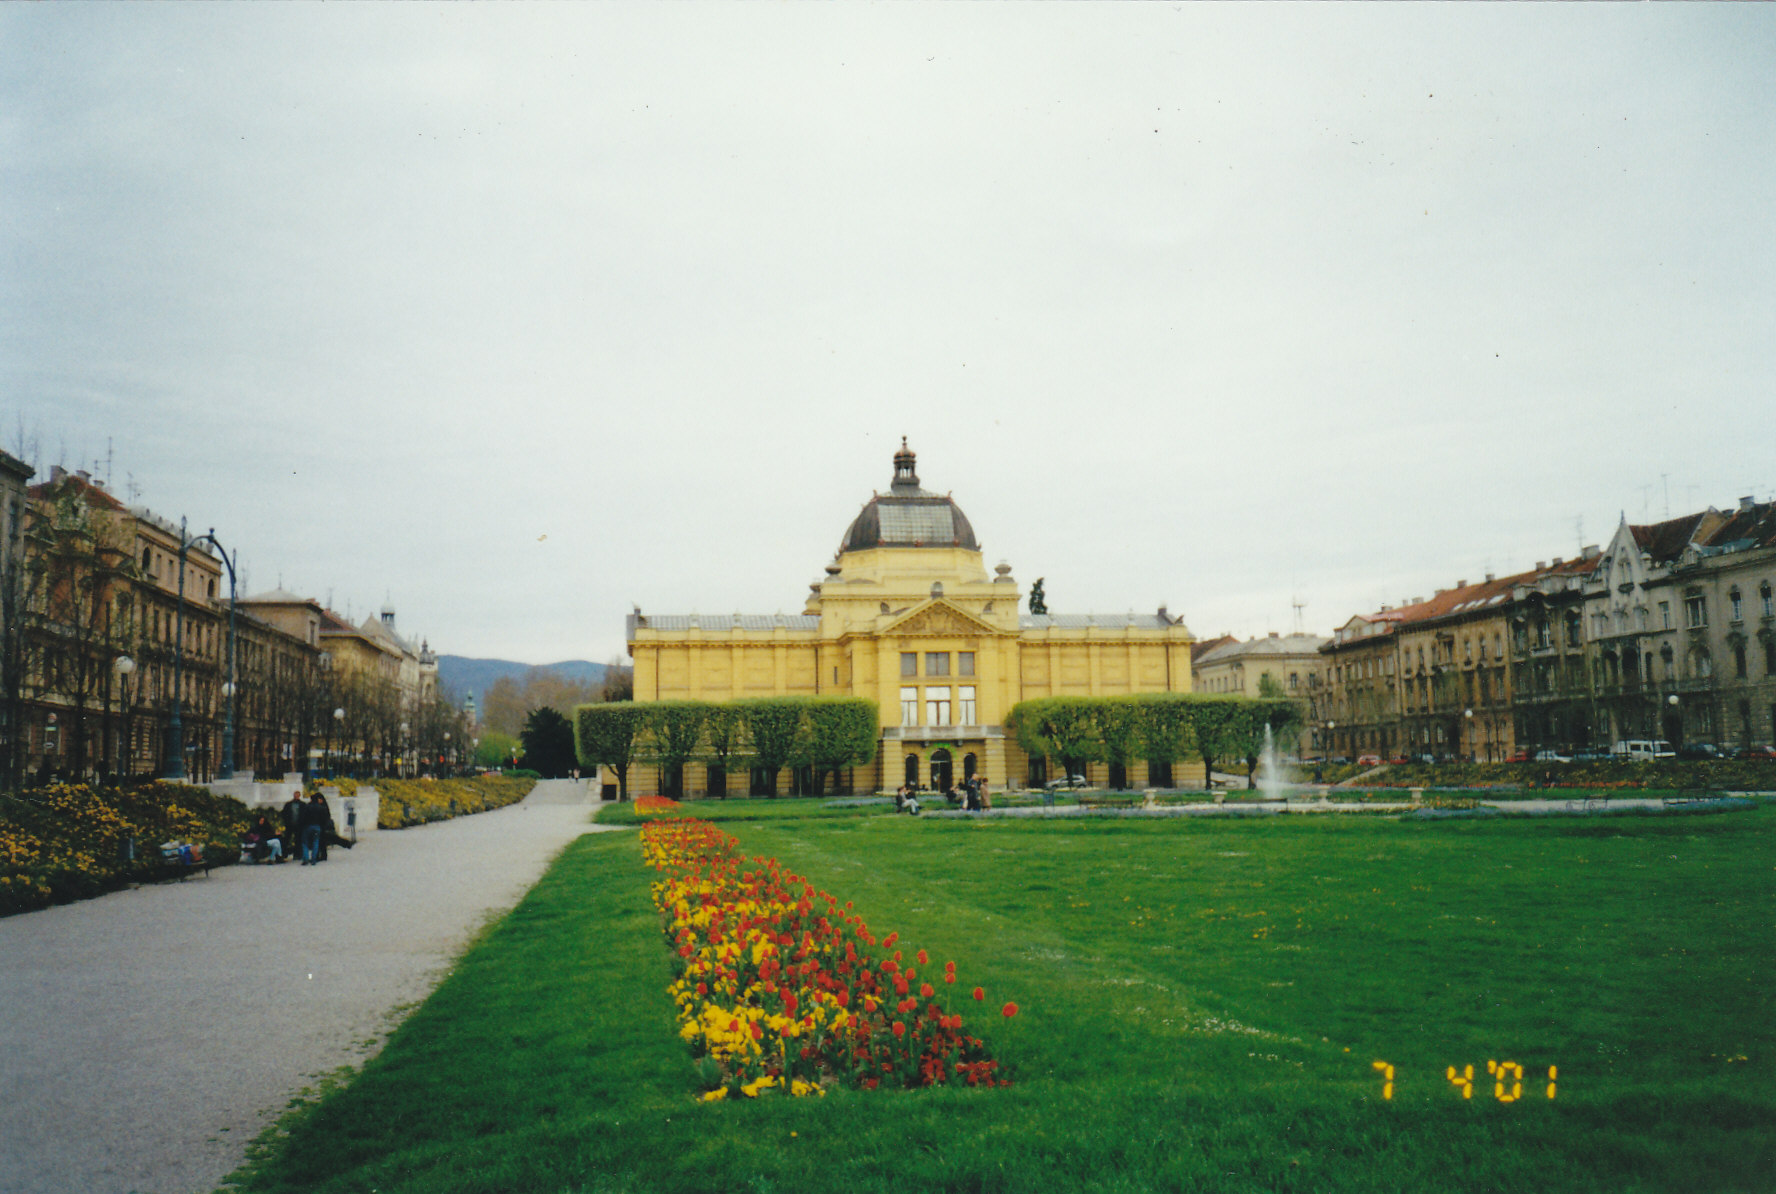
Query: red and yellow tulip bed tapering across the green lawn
[{"x": 779, "y": 987}]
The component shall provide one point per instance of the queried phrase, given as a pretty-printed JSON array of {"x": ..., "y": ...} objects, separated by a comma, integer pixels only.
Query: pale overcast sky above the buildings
[{"x": 518, "y": 317}]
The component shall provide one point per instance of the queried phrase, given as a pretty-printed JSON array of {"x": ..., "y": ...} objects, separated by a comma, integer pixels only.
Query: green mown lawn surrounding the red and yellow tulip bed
[{"x": 1201, "y": 1008}]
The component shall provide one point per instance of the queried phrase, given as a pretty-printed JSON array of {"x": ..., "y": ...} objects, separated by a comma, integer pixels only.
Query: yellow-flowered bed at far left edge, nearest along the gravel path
[{"x": 72, "y": 841}]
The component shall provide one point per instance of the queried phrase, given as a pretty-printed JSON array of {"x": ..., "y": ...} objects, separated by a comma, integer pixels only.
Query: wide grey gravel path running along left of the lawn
[{"x": 150, "y": 1035}]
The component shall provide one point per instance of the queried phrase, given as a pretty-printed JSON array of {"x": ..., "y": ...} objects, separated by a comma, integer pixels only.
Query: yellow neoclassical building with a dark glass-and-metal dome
[{"x": 910, "y": 619}]
